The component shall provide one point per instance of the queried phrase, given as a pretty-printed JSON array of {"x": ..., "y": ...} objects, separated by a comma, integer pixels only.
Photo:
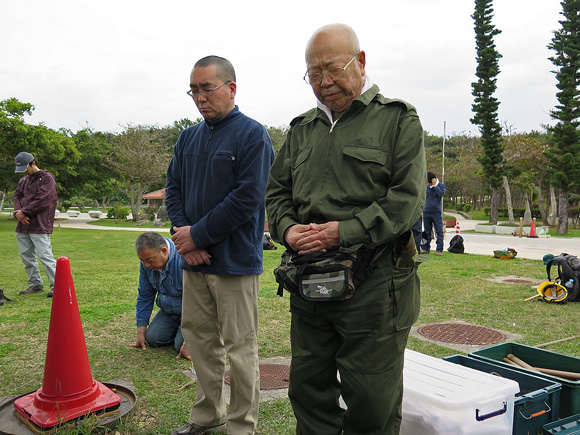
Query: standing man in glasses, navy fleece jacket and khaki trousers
[{"x": 216, "y": 187}]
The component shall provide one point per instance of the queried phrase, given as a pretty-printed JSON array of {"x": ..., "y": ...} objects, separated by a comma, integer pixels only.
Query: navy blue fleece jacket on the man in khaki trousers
[{"x": 216, "y": 183}]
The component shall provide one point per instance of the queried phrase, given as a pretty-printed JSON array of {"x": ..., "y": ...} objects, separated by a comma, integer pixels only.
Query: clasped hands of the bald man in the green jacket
[{"x": 312, "y": 237}]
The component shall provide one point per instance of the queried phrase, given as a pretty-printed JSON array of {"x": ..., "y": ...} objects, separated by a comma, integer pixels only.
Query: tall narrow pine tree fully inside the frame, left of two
[{"x": 485, "y": 105}]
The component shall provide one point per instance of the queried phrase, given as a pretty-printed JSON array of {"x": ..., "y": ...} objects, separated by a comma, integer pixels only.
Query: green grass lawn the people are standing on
[{"x": 105, "y": 272}]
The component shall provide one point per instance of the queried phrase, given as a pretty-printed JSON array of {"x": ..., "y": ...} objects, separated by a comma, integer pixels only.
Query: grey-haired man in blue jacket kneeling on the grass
[{"x": 160, "y": 278}]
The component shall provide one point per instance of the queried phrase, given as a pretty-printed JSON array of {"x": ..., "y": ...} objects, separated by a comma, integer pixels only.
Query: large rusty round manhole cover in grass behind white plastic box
[{"x": 458, "y": 333}]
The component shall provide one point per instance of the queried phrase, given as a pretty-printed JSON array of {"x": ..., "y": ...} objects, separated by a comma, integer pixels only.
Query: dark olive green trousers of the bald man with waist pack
[{"x": 363, "y": 339}]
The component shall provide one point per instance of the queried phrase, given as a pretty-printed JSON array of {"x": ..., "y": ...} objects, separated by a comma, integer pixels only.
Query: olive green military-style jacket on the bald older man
[{"x": 367, "y": 171}]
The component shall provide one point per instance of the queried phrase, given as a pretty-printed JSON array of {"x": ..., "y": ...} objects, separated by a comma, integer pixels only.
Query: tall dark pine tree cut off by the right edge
[{"x": 564, "y": 153}]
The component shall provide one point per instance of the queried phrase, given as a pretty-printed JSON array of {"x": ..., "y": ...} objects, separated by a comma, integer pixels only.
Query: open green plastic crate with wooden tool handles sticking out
[{"x": 570, "y": 394}]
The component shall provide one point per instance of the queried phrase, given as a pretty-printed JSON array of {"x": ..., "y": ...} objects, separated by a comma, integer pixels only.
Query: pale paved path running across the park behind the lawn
[{"x": 475, "y": 243}]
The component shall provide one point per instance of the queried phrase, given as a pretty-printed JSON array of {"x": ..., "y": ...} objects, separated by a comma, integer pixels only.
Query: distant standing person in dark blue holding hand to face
[{"x": 433, "y": 213}]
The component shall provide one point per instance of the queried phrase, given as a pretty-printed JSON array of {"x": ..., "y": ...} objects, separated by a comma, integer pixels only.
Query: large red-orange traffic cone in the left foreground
[{"x": 68, "y": 390}]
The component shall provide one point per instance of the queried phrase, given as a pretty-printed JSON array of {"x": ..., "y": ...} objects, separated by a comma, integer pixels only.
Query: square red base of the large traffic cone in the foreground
[{"x": 45, "y": 413}]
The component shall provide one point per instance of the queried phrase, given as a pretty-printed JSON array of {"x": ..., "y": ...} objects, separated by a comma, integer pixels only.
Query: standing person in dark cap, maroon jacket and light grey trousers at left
[{"x": 34, "y": 206}]
